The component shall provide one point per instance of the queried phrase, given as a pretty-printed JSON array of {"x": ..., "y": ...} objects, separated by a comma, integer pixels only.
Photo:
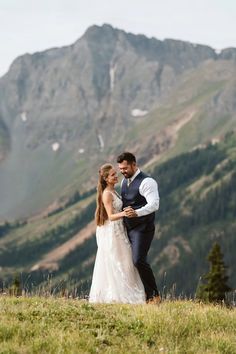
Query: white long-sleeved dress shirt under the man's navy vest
[{"x": 149, "y": 190}]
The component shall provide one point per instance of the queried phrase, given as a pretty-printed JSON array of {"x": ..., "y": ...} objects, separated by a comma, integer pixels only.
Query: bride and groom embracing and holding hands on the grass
[{"x": 125, "y": 229}]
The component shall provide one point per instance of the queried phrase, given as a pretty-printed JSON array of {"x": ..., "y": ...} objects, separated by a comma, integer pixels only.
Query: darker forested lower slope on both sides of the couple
[{"x": 197, "y": 208}]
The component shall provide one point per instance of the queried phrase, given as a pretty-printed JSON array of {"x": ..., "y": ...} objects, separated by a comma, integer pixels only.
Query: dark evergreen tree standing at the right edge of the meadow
[{"x": 215, "y": 284}]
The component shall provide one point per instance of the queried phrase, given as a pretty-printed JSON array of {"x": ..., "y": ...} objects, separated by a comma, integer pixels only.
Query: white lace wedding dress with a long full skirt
[{"x": 115, "y": 278}]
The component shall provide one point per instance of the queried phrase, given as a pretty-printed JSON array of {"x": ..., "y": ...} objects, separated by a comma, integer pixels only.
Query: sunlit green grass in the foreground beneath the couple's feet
[{"x": 57, "y": 325}]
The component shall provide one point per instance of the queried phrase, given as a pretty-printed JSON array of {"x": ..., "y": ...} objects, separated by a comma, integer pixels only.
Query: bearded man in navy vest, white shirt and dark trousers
[{"x": 140, "y": 201}]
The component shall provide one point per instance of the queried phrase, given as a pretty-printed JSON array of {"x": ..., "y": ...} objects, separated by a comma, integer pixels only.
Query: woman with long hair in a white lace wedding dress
[{"x": 115, "y": 278}]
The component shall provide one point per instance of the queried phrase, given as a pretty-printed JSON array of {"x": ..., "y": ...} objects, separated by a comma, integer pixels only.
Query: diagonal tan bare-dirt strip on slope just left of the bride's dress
[{"x": 50, "y": 260}]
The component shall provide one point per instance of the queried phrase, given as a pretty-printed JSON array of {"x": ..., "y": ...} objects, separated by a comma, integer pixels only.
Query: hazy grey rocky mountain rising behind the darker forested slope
[{"x": 65, "y": 111}]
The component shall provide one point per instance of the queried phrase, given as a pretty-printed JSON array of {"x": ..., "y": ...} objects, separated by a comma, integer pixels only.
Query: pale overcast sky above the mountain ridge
[{"x": 30, "y": 26}]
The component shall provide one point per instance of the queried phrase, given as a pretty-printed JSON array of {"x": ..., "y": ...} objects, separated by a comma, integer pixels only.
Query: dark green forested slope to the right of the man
[{"x": 197, "y": 208}]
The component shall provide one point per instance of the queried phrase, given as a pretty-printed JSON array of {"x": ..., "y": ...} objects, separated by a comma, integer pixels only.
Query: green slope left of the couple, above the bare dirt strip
[{"x": 22, "y": 243}]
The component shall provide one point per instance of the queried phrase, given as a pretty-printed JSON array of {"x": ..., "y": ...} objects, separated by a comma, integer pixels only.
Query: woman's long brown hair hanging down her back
[{"x": 101, "y": 214}]
